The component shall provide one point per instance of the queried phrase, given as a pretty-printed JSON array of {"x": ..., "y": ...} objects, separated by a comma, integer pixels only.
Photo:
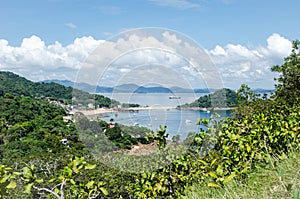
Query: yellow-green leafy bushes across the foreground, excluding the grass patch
[{"x": 261, "y": 132}]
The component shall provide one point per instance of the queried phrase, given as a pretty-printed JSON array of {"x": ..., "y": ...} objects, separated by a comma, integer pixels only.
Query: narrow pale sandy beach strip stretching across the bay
[{"x": 136, "y": 109}]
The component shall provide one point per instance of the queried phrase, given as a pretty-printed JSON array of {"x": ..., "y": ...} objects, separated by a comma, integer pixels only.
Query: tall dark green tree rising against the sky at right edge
[{"x": 288, "y": 87}]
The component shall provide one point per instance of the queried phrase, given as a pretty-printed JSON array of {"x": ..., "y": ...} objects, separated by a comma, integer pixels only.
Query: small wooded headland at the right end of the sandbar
[{"x": 220, "y": 98}]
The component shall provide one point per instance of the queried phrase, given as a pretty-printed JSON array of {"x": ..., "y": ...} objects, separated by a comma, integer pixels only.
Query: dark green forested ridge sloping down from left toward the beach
[{"x": 17, "y": 85}]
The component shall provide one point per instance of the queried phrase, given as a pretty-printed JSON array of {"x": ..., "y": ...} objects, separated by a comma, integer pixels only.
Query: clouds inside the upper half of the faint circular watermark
[{"x": 141, "y": 48}]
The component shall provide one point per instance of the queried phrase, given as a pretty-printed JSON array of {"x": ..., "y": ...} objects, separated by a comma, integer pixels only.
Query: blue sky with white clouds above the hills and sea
[{"x": 53, "y": 39}]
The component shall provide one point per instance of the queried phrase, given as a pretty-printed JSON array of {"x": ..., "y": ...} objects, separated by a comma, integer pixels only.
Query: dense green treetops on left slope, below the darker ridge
[{"x": 30, "y": 126}]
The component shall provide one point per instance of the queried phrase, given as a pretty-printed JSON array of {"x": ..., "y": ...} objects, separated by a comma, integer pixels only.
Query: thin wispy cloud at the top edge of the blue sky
[{"x": 180, "y": 4}]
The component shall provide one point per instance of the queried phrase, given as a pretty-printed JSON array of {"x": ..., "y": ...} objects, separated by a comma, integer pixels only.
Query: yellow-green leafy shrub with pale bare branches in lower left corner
[{"x": 67, "y": 184}]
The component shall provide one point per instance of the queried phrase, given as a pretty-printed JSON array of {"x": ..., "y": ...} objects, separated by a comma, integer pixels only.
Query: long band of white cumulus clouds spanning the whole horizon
[{"x": 235, "y": 63}]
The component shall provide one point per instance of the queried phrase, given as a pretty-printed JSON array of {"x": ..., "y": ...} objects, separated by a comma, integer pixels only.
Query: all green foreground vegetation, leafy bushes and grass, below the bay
[{"x": 223, "y": 157}]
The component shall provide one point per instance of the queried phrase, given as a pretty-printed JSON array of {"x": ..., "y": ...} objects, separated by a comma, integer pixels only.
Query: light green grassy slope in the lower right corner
[{"x": 279, "y": 179}]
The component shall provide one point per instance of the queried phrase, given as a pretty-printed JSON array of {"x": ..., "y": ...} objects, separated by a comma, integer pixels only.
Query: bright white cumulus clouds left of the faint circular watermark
[{"x": 38, "y": 61}]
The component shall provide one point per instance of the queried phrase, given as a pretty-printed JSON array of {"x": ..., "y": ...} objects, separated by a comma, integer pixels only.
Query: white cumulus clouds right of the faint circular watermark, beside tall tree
[{"x": 240, "y": 64}]
